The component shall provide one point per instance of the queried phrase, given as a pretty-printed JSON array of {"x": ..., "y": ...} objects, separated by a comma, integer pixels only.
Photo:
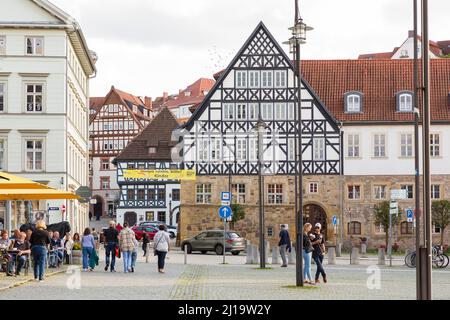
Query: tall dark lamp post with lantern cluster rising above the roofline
[{"x": 298, "y": 37}]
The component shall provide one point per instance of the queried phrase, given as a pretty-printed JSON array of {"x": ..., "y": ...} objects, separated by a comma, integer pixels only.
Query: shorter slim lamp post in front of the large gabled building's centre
[{"x": 260, "y": 129}]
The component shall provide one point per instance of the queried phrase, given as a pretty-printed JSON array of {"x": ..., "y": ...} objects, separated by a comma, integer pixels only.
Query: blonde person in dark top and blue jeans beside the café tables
[{"x": 39, "y": 241}]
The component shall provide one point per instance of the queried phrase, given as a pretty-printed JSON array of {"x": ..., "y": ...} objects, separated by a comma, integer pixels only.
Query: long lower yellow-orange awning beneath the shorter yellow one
[{"x": 36, "y": 194}]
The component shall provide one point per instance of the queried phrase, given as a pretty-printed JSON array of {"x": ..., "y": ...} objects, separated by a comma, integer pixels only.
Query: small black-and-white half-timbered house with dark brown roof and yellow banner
[{"x": 147, "y": 199}]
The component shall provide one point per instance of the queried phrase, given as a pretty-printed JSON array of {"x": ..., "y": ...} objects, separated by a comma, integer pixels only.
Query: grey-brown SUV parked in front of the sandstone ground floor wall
[{"x": 212, "y": 240}]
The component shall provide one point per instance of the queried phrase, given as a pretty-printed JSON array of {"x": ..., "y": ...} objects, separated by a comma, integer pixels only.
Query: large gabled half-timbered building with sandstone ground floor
[{"x": 220, "y": 143}]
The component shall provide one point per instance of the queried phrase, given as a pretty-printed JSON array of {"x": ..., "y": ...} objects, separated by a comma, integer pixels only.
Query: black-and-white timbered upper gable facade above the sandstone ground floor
[{"x": 260, "y": 82}]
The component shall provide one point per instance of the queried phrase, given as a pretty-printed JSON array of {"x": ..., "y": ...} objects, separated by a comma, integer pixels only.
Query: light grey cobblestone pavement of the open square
[{"x": 206, "y": 278}]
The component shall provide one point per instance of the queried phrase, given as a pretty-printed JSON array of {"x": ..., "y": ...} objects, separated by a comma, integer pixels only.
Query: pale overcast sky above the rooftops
[{"x": 146, "y": 47}]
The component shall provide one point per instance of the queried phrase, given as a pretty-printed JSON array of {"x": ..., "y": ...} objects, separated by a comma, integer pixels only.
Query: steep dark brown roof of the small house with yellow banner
[{"x": 158, "y": 134}]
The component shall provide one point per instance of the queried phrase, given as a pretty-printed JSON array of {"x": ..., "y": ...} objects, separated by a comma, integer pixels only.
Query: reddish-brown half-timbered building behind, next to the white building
[{"x": 114, "y": 121}]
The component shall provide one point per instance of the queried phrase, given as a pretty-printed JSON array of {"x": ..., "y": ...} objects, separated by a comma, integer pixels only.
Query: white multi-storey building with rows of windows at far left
[{"x": 45, "y": 68}]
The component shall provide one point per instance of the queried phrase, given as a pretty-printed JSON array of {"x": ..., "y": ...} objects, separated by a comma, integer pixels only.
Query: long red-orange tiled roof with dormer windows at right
[{"x": 379, "y": 81}]
